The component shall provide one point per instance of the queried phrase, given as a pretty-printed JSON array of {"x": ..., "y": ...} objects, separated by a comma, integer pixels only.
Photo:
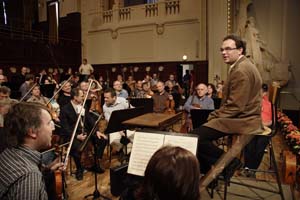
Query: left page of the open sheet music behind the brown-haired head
[{"x": 144, "y": 146}]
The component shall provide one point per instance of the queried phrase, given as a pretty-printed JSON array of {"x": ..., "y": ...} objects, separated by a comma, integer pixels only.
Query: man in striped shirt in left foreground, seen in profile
[{"x": 28, "y": 131}]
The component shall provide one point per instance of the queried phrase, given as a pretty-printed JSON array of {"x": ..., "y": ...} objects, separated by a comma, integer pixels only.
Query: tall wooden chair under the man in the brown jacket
[{"x": 242, "y": 141}]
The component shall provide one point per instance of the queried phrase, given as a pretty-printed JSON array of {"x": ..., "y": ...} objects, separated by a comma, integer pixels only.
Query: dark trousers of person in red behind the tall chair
[{"x": 254, "y": 151}]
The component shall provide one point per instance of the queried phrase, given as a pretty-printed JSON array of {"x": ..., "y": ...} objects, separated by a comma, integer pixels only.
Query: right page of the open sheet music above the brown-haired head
[{"x": 188, "y": 143}]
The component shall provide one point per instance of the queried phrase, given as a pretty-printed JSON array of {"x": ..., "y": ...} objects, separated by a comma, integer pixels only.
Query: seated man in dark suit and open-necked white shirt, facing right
[{"x": 68, "y": 117}]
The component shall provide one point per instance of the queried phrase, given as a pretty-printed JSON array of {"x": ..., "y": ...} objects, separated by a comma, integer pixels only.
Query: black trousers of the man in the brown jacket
[{"x": 208, "y": 153}]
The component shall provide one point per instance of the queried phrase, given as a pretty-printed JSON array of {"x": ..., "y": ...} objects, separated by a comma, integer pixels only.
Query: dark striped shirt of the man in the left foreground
[{"x": 20, "y": 177}]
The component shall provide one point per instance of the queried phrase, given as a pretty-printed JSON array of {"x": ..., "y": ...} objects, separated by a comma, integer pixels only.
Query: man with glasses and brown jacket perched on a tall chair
[{"x": 240, "y": 109}]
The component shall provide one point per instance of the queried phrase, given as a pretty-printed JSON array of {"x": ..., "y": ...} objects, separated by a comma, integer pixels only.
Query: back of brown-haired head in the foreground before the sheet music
[{"x": 172, "y": 173}]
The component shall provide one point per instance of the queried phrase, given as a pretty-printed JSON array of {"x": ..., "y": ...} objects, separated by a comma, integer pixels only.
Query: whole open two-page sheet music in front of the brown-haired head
[{"x": 145, "y": 144}]
